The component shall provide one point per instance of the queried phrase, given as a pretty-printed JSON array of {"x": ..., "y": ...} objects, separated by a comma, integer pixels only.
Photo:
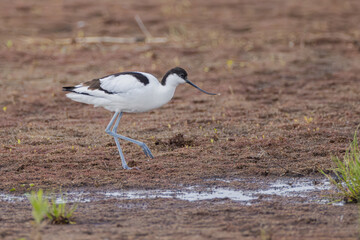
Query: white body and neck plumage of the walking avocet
[{"x": 125, "y": 93}]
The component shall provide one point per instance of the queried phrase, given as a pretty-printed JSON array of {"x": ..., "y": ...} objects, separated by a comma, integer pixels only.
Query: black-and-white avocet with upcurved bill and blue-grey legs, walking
[{"x": 130, "y": 92}]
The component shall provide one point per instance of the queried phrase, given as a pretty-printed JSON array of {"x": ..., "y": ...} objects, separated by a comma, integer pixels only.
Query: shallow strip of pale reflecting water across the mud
[{"x": 302, "y": 188}]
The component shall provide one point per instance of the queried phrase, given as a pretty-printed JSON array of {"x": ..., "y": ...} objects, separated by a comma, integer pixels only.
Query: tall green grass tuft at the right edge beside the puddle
[{"x": 347, "y": 172}]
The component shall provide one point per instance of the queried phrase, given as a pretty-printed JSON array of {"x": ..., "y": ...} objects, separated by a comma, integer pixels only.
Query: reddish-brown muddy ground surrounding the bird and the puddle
[{"x": 288, "y": 74}]
